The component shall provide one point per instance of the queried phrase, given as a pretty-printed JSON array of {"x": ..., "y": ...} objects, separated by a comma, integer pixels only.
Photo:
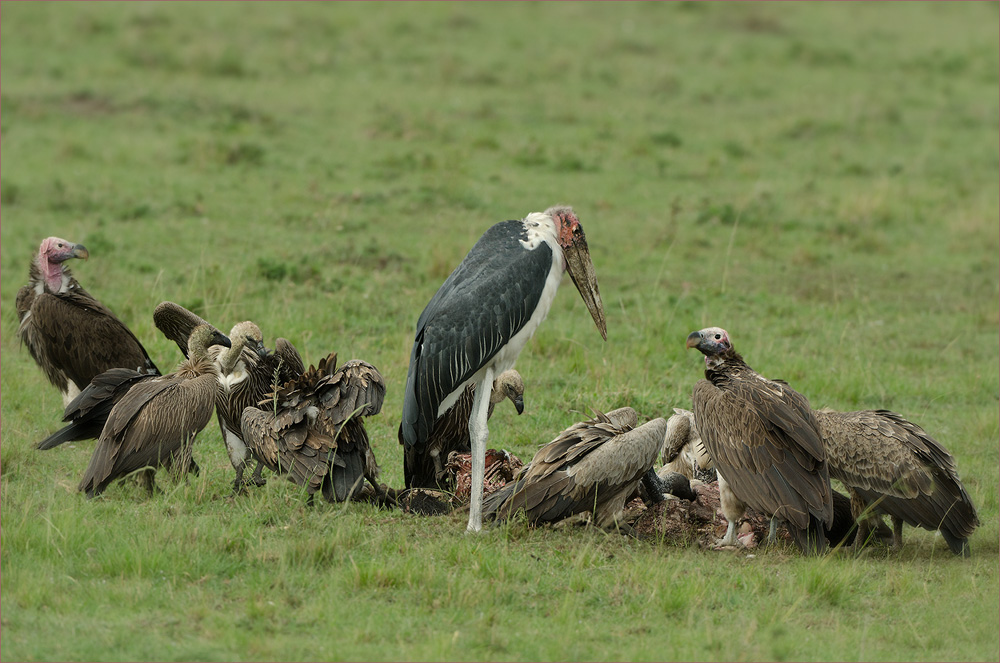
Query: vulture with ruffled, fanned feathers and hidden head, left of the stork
[{"x": 311, "y": 428}]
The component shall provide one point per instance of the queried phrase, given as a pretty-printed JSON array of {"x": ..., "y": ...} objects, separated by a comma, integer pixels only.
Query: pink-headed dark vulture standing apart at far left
[{"x": 71, "y": 336}]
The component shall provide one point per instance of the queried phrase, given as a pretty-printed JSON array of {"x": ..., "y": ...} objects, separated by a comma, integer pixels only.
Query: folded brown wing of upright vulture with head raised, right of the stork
[{"x": 764, "y": 439}]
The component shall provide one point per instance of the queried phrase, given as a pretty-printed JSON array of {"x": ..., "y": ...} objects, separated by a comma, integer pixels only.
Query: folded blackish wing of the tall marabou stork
[{"x": 487, "y": 299}]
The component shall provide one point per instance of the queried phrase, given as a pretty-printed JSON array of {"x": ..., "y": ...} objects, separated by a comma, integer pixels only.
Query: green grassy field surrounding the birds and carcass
[{"x": 821, "y": 179}]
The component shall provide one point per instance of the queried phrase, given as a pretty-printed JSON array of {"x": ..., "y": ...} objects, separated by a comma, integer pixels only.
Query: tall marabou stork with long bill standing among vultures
[{"x": 476, "y": 324}]
